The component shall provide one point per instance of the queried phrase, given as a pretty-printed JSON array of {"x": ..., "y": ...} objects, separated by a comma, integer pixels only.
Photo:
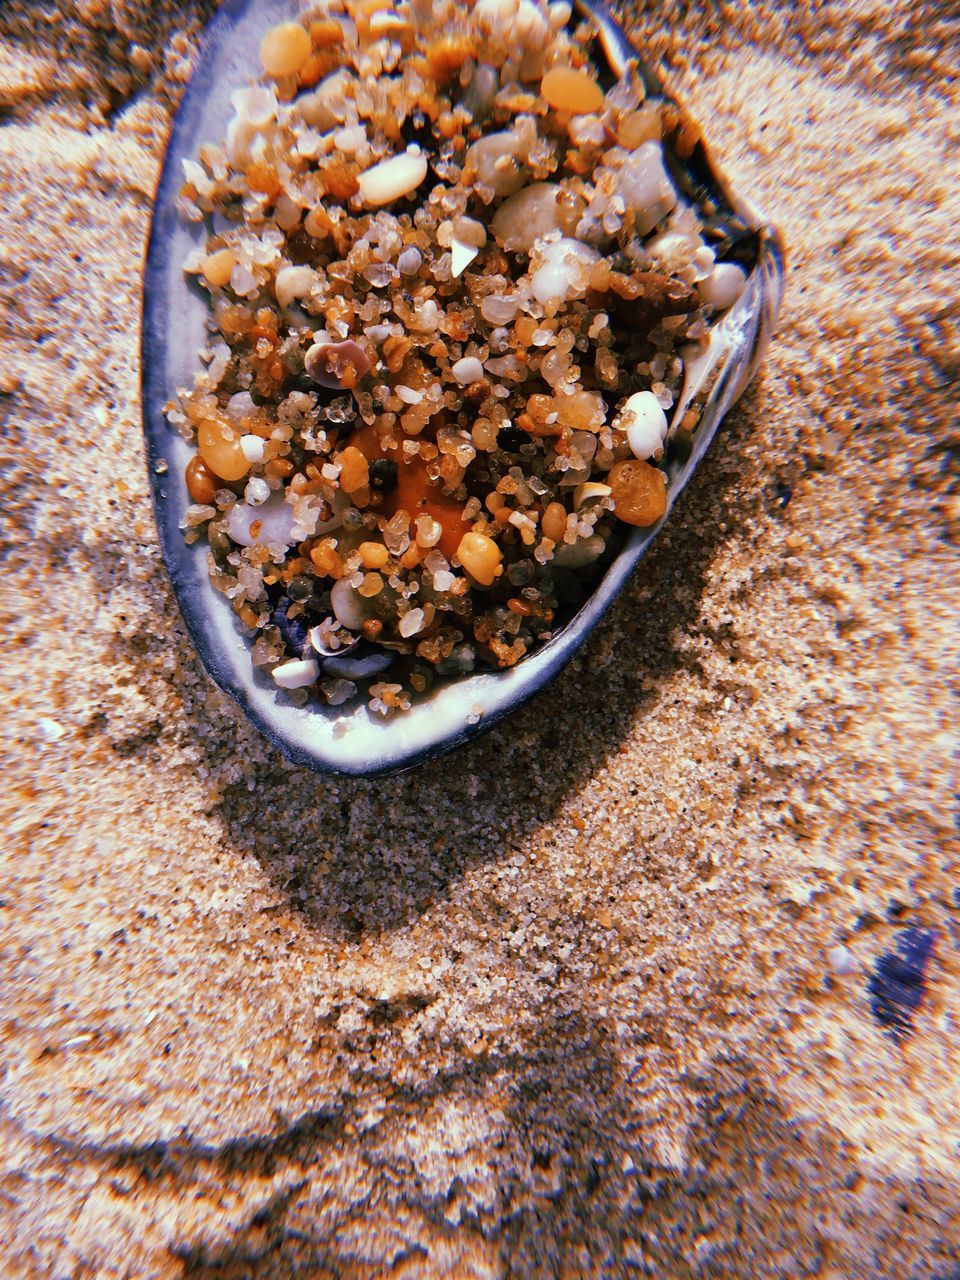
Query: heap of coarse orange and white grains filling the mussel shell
[{"x": 450, "y": 280}]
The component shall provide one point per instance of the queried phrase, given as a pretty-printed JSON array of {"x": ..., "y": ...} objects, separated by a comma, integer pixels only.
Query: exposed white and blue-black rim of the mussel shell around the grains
[{"x": 336, "y": 739}]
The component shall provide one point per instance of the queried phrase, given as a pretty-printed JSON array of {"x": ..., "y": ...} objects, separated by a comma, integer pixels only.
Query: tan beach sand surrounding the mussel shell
[{"x": 565, "y": 1004}]
